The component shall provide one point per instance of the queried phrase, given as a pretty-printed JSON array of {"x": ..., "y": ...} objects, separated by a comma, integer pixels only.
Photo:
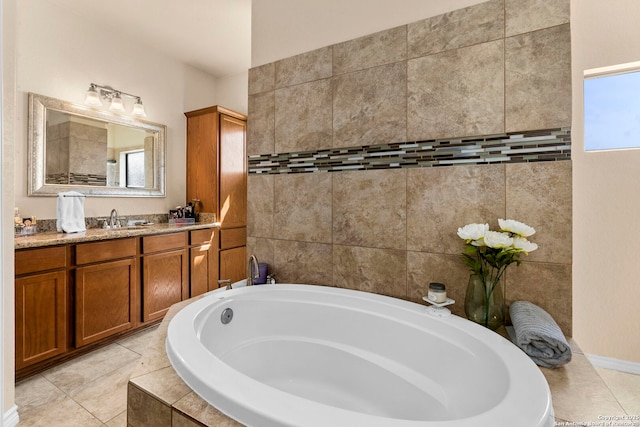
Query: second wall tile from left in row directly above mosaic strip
[{"x": 304, "y": 117}]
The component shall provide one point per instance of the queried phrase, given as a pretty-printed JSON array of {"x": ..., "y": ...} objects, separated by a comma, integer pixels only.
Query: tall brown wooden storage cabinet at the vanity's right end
[{"x": 217, "y": 175}]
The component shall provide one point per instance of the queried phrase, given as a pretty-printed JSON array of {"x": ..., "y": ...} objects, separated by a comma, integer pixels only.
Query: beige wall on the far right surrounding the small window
[{"x": 606, "y": 237}]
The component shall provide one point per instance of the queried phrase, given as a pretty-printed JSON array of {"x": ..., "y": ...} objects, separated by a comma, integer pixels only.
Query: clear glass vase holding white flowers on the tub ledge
[{"x": 488, "y": 254}]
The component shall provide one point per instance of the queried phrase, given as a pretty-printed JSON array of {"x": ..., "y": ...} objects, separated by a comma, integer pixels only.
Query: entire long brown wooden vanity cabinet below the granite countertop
[{"x": 74, "y": 297}]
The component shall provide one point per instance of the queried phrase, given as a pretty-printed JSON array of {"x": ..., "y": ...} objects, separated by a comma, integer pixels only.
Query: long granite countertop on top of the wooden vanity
[{"x": 95, "y": 234}]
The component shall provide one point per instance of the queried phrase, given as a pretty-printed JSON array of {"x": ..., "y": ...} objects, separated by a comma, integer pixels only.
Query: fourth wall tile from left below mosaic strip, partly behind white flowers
[{"x": 440, "y": 200}]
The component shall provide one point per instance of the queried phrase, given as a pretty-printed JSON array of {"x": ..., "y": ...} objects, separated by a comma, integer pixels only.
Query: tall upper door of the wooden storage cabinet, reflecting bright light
[{"x": 233, "y": 172}]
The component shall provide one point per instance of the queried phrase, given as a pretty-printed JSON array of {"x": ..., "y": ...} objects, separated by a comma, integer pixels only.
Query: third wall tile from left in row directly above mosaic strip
[{"x": 370, "y": 106}]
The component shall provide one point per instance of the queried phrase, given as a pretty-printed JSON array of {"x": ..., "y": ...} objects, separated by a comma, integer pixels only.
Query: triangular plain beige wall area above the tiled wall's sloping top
[{"x": 283, "y": 28}]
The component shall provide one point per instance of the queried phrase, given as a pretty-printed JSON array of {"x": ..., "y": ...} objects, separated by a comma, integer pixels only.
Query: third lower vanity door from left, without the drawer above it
[{"x": 164, "y": 282}]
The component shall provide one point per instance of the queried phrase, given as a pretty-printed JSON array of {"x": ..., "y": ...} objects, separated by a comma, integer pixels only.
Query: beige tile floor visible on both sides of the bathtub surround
[{"x": 92, "y": 390}]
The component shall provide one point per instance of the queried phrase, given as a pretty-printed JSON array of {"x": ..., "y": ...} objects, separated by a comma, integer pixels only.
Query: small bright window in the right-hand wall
[{"x": 612, "y": 107}]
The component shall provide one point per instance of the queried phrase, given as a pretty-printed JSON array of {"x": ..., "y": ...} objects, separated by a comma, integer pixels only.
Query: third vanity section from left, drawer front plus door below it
[{"x": 165, "y": 269}]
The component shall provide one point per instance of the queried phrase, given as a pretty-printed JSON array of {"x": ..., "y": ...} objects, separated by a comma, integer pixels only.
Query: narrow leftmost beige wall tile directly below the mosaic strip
[{"x": 260, "y": 202}]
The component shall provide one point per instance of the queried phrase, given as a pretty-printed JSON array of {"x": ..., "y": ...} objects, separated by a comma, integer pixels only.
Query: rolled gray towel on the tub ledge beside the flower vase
[{"x": 538, "y": 335}]
